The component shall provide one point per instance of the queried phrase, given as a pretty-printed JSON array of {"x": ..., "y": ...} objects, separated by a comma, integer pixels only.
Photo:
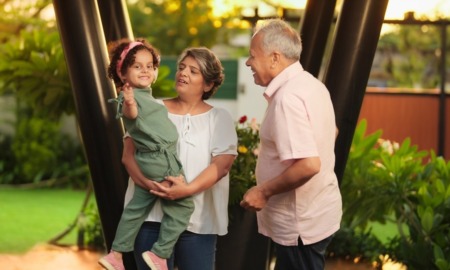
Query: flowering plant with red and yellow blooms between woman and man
[{"x": 242, "y": 173}]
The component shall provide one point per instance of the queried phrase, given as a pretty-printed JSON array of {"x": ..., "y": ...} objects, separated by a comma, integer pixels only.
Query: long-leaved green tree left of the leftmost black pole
[{"x": 34, "y": 70}]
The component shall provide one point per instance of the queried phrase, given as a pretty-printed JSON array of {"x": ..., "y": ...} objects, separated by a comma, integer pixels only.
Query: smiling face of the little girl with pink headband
[{"x": 141, "y": 73}]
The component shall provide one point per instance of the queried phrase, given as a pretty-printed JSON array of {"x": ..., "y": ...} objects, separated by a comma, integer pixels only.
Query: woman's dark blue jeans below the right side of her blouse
[{"x": 195, "y": 251}]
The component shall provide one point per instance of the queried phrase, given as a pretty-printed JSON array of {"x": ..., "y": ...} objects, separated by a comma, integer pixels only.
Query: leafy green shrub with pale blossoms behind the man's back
[{"x": 387, "y": 182}]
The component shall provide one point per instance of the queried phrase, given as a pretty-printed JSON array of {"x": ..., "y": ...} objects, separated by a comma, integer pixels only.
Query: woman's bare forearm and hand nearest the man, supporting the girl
[{"x": 220, "y": 165}]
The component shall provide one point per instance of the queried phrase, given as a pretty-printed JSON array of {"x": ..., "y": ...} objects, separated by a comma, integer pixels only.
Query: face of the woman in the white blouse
[{"x": 189, "y": 79}]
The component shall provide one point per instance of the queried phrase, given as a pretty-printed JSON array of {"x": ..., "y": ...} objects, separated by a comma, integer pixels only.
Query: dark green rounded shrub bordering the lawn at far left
[{"x": 38, "y": 152}]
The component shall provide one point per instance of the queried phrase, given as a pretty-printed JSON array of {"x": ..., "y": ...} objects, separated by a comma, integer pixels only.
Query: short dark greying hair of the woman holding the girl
[{"x": 210, "y": 67}]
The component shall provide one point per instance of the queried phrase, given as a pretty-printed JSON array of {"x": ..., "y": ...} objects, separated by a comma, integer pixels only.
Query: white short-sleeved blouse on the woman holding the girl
[{"x": 202, "y": 137}]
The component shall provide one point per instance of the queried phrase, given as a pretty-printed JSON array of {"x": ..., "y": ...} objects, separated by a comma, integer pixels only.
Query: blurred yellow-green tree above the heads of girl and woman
[{"x": 172, "y": 26}]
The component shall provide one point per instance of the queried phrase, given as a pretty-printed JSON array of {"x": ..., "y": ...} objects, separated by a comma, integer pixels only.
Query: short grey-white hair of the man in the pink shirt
[{"x": 279, "y": 36}]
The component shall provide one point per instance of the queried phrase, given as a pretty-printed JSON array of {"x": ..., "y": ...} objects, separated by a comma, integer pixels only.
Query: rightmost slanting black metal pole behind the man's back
[{"x": 356, "y": 38}]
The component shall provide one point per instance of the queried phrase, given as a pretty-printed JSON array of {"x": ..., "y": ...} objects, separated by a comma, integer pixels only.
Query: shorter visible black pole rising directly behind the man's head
[{"x": 315, "y": 28}]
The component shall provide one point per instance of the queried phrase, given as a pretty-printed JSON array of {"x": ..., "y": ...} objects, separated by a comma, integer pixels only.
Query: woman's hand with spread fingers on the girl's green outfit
[{"x": 178, "y": 189}]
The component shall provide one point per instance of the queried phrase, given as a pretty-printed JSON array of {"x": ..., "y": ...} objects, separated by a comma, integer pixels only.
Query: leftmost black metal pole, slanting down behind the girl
[{"x": 86, "y": 57}]
